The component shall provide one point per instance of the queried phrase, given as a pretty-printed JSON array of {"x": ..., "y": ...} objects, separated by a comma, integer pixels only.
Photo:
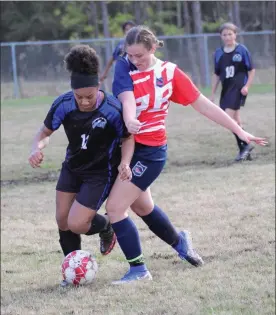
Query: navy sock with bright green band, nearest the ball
[{"x": 128, "y": 239}]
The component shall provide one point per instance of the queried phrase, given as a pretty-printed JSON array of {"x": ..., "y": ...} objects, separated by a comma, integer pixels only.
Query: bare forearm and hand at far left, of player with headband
[{"x": 40, "y": 141}]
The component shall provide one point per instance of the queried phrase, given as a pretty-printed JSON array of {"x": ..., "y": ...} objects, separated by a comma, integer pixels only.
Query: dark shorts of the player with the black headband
[{"x": 91, "y": 189}]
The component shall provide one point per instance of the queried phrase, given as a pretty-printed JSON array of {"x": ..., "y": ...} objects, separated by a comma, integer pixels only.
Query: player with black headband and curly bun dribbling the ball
[{"x": 94, "y": 126}]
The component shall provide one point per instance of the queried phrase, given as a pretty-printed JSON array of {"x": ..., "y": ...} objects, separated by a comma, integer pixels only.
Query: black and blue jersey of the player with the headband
[{"x": 94, "y": 137}]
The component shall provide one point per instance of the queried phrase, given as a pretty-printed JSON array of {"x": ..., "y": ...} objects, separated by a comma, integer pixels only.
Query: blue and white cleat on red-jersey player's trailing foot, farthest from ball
[{"x": 187, "y": 252}]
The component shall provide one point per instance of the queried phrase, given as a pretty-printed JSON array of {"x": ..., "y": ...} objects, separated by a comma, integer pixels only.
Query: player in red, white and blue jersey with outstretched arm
[{"x": 146, "y": 85}]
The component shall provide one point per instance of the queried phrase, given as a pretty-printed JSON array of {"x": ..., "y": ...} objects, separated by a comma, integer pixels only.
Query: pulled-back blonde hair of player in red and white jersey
[{"x": 142, "y": 35}]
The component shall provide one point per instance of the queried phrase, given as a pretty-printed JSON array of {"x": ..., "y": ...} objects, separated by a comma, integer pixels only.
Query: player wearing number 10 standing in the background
[{"x": 234, "y": 68}]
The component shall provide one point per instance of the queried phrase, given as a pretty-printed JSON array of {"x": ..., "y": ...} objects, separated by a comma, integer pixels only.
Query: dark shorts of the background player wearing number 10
[{"x": 232, "y": 99}]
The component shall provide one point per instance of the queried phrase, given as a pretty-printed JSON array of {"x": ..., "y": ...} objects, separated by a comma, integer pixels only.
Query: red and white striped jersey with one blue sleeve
[{"x": 154, "y": 89}]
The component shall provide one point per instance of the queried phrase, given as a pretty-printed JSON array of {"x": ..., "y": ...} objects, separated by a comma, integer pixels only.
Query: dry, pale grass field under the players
[{"x": 229, "y": 209}]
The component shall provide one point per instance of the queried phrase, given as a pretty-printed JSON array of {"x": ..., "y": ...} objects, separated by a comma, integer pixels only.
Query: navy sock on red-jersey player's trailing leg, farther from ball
[{"x": 159, "y": 223}]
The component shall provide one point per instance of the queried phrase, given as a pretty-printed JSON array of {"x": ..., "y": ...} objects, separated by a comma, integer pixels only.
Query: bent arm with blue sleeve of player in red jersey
[{"x": 123, "y": 89}]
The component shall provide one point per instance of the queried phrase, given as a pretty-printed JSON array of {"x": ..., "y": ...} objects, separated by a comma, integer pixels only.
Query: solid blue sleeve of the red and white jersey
[{"x": 122, "y": 81}]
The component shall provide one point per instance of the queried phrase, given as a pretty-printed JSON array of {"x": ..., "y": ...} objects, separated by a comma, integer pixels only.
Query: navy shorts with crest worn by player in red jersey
[{"x": 147, "y": 164}]
